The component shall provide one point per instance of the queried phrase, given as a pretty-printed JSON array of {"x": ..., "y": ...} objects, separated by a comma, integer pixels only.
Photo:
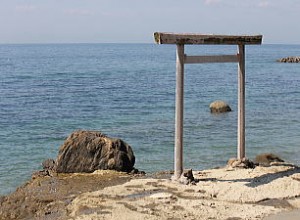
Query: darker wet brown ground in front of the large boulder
[{"x": 47, "y": 197}]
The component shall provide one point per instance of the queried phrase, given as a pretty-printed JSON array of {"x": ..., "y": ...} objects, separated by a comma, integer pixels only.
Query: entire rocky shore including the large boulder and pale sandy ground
[{"x": 93, "y": 178}]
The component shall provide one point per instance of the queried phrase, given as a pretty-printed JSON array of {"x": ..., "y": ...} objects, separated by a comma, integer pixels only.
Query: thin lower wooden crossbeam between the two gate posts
[{"x": 211, "y": 59}]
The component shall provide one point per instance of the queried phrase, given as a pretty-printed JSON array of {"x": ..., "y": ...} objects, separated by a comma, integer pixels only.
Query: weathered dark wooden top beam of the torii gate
[{"x": 174, "y": 38}]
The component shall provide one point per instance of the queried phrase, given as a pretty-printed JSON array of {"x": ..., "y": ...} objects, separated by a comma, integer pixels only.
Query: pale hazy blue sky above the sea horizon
[{"x": 102, "y": 21}]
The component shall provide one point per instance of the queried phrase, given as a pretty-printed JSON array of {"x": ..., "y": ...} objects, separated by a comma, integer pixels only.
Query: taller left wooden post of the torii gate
[{"x": 178, "y": 153}]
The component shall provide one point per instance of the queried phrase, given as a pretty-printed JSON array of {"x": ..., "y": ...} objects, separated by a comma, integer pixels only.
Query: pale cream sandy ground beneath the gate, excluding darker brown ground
[{"x": 220, "y": 194}]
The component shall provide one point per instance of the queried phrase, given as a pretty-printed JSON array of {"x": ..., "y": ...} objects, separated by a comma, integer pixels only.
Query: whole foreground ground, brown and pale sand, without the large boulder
[{"x": 223, "y": 193}]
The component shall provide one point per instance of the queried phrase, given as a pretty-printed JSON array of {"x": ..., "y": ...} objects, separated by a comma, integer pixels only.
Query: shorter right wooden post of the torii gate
[{"x": 241, "y": 102}]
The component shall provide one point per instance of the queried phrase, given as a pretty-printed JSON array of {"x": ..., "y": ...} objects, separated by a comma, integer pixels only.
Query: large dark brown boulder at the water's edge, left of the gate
[{"x": 87, "y": 151}]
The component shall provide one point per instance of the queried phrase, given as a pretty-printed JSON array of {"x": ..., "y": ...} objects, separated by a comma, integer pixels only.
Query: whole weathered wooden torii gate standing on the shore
[{"x": 181, "y": 58}]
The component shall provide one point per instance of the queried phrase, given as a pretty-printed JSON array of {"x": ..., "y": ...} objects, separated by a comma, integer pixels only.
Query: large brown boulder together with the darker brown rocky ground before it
[{"x": 86, "y": 161}]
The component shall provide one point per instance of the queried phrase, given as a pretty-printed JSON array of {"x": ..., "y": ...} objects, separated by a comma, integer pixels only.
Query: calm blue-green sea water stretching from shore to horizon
[{"x": 128, "y": 91}]
